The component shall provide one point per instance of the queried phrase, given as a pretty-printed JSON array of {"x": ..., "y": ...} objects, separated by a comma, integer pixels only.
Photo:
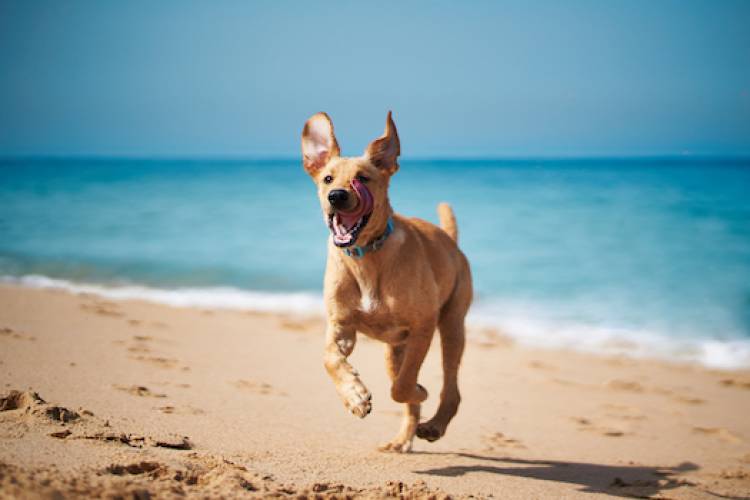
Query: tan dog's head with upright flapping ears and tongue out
[{"x": 353, "y": 192}]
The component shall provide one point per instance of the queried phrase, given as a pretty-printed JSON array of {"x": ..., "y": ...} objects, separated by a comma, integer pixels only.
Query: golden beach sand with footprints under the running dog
[{"x": 132, "y": 399}]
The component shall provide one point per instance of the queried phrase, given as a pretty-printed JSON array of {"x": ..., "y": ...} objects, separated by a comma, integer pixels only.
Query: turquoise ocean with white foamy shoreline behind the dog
[{"x": 647, "y": 257}]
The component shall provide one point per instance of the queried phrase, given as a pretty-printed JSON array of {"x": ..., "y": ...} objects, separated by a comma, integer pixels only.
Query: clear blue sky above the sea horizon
[{"x": 501, "y": 79}]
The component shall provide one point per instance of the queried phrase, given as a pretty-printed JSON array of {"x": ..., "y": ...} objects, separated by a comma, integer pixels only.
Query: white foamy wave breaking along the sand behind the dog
[{"x": 522, "y": 323}]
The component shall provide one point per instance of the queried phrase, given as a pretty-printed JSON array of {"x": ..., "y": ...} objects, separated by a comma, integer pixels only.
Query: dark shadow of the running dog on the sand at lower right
[{"x": 618, "y": 480}]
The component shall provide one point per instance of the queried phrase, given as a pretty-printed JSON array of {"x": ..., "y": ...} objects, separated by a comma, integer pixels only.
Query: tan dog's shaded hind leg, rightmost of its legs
[{"x": 452, "y": 340}]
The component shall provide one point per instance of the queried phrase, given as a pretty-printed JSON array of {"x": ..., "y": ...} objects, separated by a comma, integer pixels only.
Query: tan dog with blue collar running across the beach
[{"x": 392, "y": 278}]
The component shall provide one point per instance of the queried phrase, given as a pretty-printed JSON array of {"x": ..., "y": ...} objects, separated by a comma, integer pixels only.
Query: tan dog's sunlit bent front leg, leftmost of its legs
[{"x": 339, "y": 345}]
